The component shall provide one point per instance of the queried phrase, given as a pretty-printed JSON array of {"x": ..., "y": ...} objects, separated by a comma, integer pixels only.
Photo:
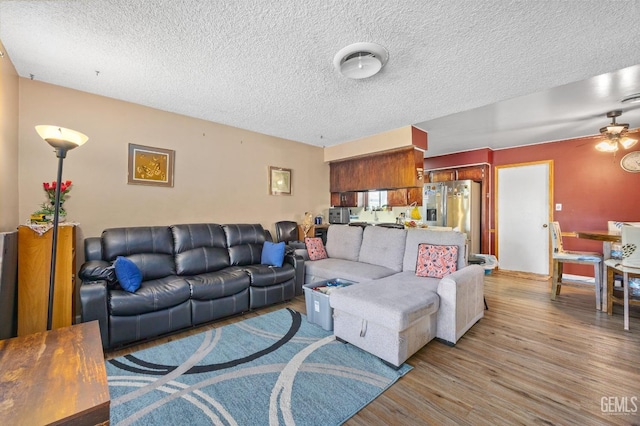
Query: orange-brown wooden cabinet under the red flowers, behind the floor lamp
[{"x": 34, "y": 263}]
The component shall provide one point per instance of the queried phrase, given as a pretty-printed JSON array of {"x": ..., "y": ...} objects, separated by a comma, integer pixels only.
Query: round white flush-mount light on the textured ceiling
[{"x": 360, "y": 60}]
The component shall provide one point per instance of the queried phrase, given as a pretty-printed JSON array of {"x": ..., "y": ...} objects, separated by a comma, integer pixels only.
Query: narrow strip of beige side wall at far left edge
[{"x": 9, "y": 218}]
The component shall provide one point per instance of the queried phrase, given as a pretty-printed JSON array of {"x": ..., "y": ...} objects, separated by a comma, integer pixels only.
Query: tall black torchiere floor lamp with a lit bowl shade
[{"x": 62, "y": 140}]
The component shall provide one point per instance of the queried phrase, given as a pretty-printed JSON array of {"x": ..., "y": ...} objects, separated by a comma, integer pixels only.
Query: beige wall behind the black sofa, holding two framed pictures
[{"x": 221, "y": 172}]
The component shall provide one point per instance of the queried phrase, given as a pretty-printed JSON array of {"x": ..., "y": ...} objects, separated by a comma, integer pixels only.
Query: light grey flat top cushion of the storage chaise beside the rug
[{"x": 394, "y": 306}]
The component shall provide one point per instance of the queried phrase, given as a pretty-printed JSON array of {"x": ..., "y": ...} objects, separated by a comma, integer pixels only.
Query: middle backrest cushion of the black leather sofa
[{"x": 199, "y": 248}]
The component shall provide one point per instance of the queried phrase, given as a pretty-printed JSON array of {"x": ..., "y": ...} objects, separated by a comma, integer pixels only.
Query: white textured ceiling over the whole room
[{"x": 470, "y": 73}]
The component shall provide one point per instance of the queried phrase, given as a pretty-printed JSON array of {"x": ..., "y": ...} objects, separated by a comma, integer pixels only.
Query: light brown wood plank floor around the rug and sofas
[{"x": 530, "y": 360}]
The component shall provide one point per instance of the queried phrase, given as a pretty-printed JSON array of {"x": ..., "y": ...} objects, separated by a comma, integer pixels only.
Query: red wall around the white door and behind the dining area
[{"x": 590, "y": 185}]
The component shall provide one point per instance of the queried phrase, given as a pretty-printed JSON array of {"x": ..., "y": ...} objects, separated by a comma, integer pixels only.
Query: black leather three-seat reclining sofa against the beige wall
[{"x": 191, "y": 274}]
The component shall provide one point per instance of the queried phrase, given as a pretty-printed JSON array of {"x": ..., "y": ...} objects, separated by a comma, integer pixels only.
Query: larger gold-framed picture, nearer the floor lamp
[{"x": 150, "y": 166}]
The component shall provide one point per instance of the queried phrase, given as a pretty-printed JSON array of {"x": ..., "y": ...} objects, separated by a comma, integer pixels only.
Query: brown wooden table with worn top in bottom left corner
[{"x": 54, "y": 377}]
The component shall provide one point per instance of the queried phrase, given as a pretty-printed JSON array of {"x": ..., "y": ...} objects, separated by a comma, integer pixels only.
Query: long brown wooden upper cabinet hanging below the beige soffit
[{"x": 389, "y": 170}]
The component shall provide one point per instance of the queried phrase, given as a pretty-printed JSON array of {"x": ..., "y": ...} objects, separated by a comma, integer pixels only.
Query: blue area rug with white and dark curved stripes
[{"x": 273, "y": 369}]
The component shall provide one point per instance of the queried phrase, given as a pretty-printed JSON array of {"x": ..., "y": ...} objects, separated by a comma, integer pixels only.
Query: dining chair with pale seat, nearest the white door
[{"x": 561, "y": 256}]
